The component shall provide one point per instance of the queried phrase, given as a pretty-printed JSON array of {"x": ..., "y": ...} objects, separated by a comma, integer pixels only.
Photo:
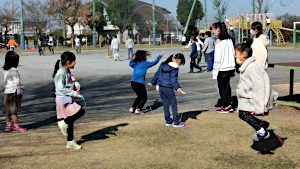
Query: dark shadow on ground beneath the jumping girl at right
[{"x": 266, "y": 146}]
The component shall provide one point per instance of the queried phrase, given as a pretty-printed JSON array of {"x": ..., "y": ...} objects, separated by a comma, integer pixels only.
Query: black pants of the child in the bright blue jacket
[{"x": 141, "y": 92}]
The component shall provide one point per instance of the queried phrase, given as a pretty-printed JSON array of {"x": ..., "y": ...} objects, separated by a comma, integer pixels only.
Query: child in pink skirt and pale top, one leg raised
[{"x": 67, "y": 110}]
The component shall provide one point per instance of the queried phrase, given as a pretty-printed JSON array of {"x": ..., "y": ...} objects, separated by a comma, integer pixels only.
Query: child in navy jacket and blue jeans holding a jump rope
[{"x": 166, "y": 78}]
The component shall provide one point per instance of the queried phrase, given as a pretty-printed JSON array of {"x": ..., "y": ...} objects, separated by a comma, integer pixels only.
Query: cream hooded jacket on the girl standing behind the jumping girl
[{"x": 260, "y": 52}]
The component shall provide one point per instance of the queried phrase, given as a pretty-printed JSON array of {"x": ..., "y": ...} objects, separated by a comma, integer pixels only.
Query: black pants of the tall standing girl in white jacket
[{"x": 224, "y": 87}]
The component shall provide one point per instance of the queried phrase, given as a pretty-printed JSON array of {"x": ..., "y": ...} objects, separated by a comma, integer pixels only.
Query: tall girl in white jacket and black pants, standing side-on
[{"x": 224, "y": 65}]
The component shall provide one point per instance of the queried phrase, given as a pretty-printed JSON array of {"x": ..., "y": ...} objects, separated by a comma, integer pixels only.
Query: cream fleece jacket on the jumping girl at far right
[{"x": 254, "y": 91}]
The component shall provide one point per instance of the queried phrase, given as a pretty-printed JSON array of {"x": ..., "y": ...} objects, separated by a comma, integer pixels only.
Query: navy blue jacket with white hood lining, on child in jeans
[{"x": 167, "y": 76}]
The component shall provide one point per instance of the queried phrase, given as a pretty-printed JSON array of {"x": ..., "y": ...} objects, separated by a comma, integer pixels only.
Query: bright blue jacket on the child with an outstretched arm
[{"x": 141, "y": 68}]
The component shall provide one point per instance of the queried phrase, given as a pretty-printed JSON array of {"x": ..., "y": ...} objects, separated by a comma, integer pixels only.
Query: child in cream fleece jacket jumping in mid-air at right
[{"x": 254, "y": 93}]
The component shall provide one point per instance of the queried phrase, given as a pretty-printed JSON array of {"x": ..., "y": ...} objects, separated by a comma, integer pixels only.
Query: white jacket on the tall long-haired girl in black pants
[{"x": 223, "y": 57}]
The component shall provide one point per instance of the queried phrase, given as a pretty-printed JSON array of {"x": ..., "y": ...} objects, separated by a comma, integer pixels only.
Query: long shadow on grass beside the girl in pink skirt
[{"x": 101, "y": 134}]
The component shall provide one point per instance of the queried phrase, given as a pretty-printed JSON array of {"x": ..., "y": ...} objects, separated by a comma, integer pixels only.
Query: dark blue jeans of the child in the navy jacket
[{"x": 168, "y": 98}]
